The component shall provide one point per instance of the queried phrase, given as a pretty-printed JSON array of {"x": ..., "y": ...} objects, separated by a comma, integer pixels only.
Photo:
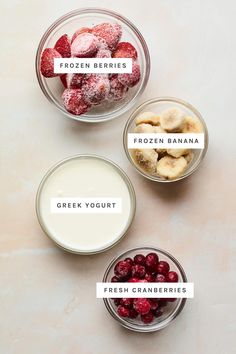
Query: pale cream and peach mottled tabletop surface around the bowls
[{"x": 47, "y": 297}]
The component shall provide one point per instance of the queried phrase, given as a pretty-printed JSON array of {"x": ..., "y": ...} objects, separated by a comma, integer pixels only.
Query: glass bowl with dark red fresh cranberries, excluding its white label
[{"x": 144, "y": 264}]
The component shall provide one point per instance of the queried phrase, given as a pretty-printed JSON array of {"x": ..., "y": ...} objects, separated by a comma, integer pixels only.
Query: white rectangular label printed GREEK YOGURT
[{"x": 86, "y": 205}]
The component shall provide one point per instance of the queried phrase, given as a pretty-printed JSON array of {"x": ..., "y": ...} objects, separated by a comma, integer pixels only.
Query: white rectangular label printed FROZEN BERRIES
[{"x": 93, "y": 65}]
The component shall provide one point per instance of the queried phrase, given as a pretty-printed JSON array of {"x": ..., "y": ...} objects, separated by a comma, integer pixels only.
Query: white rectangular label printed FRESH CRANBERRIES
[{"x": 145, "y": 290}]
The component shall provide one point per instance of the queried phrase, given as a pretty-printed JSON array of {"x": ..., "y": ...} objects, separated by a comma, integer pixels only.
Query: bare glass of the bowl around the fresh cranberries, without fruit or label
[{"x": 170, "y": 312}]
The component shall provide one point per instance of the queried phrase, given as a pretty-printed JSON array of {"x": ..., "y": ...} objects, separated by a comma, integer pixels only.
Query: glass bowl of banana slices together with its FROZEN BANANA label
[{"x": 165, "y": 139}]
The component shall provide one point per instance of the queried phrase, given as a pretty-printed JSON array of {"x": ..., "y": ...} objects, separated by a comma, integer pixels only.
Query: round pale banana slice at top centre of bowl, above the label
[{"x": 172, "y": 119}]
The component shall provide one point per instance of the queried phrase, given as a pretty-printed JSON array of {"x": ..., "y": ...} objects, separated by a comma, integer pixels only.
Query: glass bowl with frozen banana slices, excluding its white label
[{"x": 165, "y": 115}]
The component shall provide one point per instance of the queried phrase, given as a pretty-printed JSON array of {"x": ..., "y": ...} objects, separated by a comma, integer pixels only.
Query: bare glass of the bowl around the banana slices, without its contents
[{"x": 157, "y": 105}]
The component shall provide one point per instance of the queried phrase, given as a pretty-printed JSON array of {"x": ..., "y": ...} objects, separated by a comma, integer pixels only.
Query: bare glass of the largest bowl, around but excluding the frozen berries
[{"x": 69, "y": 23}]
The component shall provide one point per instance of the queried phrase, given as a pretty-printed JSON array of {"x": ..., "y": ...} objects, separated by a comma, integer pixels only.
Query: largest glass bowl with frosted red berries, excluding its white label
[{"x": 92, "y": 33}]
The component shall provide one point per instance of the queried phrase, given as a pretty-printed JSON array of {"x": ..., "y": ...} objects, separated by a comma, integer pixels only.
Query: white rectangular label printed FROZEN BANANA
[{"x": 165, "y": 141}]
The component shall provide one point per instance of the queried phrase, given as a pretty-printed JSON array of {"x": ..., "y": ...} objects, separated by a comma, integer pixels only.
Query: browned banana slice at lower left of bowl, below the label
[{"x": 147, "y": 158}]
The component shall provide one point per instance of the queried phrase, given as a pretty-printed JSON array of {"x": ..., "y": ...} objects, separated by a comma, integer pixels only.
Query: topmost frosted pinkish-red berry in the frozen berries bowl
[{"x": 110, "y": 32}]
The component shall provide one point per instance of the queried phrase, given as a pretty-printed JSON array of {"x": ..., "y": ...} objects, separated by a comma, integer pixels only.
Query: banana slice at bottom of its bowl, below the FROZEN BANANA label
[{"x": 170, "y": 167}]
